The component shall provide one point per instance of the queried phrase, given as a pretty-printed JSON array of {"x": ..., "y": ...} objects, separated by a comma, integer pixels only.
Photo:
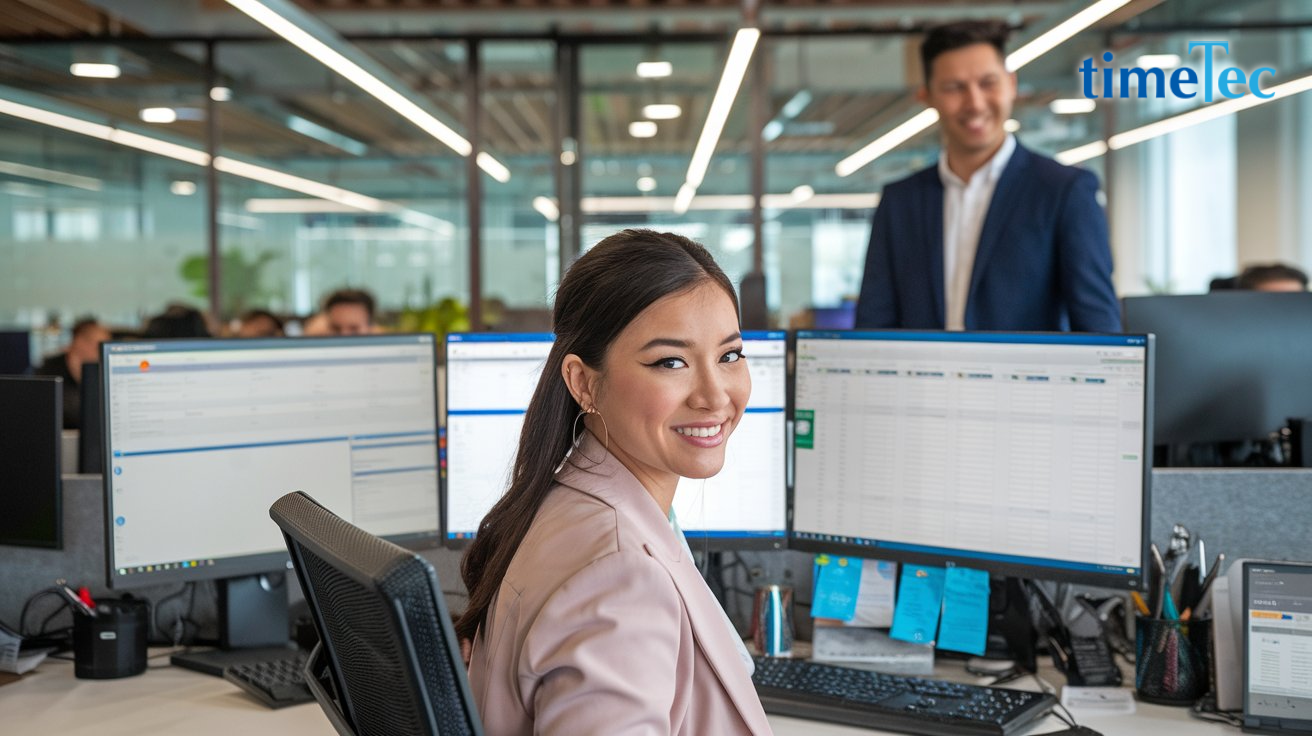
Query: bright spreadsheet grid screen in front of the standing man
[{"x": 1021, "y": 455}]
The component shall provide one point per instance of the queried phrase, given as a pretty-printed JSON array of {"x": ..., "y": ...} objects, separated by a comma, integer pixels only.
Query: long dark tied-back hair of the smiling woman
[{"x": 605, "y": 291}]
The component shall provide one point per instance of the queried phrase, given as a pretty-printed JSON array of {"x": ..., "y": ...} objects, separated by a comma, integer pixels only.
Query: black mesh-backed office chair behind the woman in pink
[{"x": 388, "y": 661}]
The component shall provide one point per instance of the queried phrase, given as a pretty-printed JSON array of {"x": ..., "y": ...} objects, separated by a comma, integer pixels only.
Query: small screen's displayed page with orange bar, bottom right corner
[{"x": 1280, "y": 642}]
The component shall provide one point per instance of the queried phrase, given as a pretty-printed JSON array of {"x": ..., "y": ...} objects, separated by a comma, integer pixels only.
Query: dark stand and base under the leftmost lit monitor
[{"x": 254, "y": 625}]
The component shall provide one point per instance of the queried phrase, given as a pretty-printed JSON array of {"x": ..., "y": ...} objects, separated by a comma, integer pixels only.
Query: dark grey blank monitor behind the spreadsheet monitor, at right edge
[{"x": 1231, "y": 365}]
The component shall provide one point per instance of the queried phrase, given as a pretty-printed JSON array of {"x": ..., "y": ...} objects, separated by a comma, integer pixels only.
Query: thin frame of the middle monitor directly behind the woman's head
[{"x": 701, "y": 542}]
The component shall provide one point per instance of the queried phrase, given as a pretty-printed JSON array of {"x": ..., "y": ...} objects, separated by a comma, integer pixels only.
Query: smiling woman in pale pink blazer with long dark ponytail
[{"x": 587, "y": 613}]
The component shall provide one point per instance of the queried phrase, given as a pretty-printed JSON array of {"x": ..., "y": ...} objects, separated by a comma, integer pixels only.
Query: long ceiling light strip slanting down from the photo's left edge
[{"x": 221, "y": 163}]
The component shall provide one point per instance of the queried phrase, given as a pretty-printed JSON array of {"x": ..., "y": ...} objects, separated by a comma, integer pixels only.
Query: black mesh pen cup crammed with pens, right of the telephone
[{"x": 1172, "y": 661}]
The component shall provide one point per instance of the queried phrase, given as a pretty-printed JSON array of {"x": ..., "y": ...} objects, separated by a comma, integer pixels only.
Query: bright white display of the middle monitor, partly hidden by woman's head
[{"x": 491, "y": 380}]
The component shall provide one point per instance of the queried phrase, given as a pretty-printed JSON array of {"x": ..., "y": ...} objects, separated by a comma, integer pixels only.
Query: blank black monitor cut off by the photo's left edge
[{"x": 31, "y": 493}]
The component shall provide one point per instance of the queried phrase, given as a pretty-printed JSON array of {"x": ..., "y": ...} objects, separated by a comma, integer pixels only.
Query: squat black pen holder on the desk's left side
[{"x": 113, "y": 642}]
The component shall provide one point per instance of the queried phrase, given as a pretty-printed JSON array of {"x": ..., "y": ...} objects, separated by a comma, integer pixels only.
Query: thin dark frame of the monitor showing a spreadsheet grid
[{"x": 993, "y": 566}]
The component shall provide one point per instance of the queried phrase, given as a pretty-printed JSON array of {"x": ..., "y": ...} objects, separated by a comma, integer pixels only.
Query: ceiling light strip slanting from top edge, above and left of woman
[{"x": 385, "y": 94}]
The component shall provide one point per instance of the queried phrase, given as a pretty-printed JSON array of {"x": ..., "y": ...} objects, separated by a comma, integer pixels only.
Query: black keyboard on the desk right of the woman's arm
[{"x": 893, "y": 703}]
